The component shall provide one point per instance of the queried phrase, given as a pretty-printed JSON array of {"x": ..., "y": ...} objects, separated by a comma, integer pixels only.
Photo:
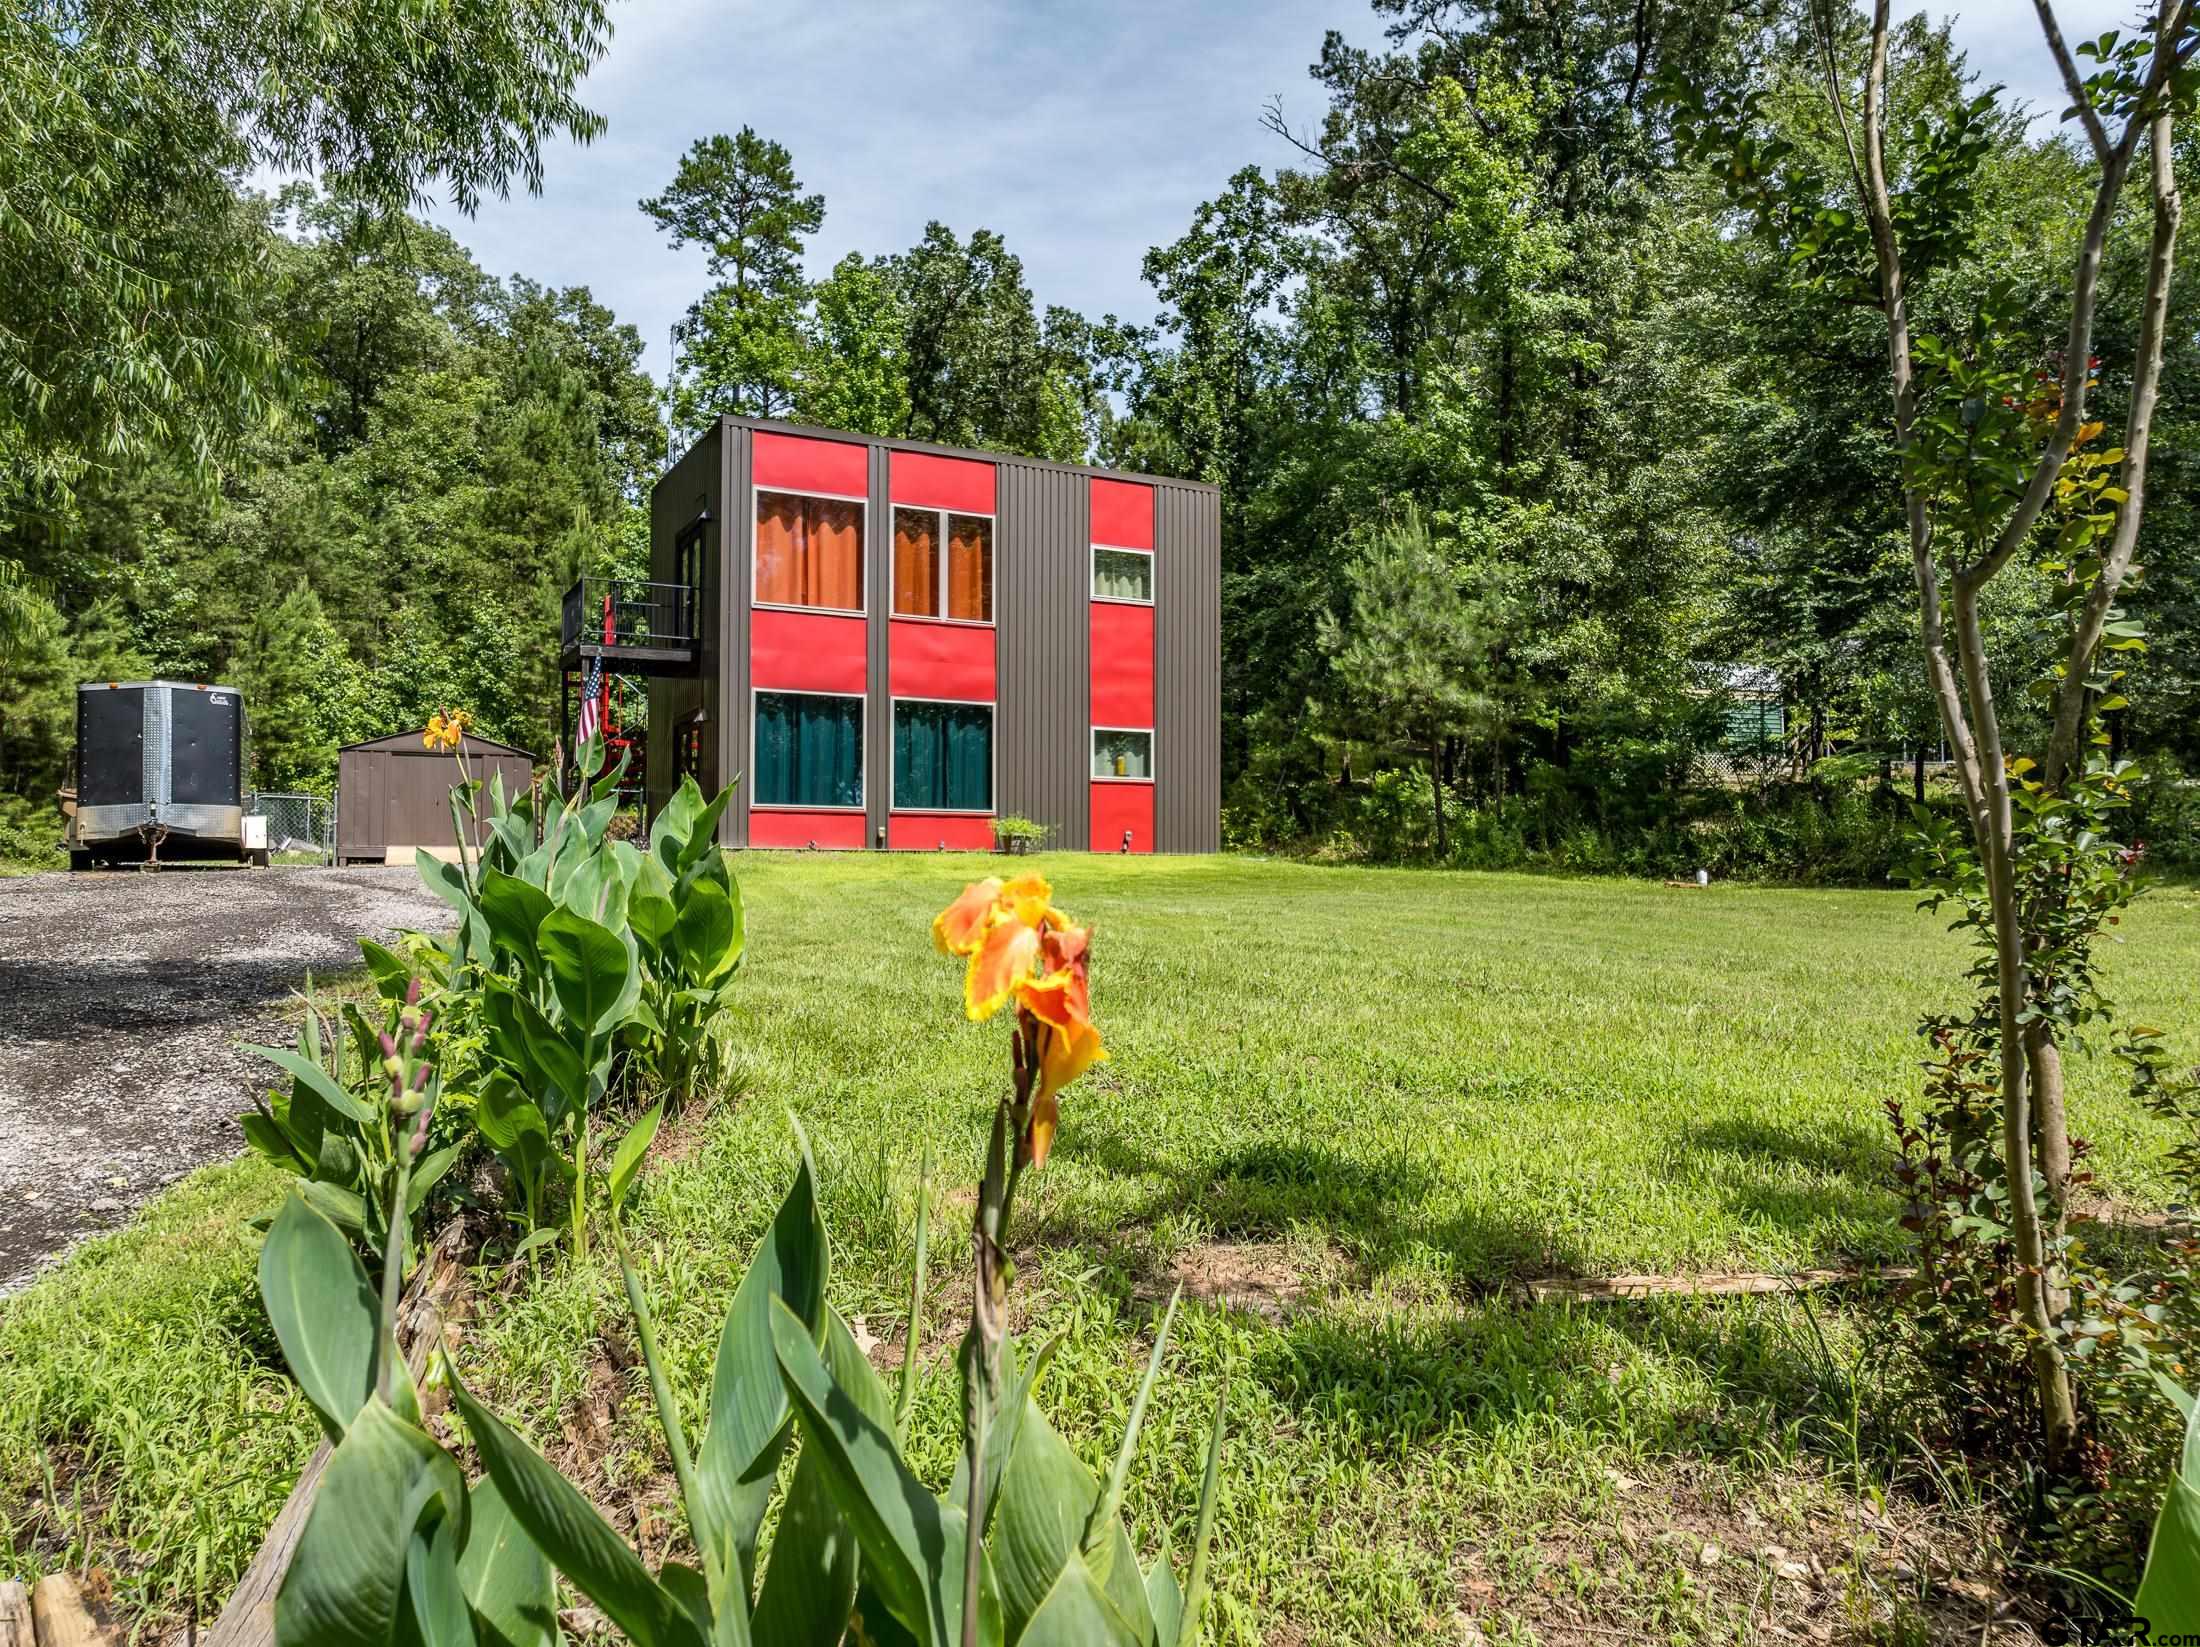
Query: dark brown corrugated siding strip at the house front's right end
[{"x": 1187, "y": 676}]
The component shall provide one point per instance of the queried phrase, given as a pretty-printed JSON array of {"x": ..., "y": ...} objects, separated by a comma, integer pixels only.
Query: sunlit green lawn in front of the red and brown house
[{"x": 1385, "y": 1094}]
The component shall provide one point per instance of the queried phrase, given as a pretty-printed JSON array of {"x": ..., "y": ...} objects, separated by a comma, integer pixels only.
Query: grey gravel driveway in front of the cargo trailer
[{"x": 122, "y": 995}]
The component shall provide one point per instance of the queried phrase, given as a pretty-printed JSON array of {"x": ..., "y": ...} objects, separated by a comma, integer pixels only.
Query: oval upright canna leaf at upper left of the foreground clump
[{"x": 324, "y": 1312}]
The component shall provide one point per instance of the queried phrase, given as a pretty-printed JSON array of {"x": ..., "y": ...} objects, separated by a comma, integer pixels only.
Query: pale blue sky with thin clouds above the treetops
[{"x": 1083, "y": 133}]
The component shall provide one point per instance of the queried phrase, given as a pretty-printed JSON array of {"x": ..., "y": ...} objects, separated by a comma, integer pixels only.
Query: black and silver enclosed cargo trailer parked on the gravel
[{"x": 159, "y": 775}]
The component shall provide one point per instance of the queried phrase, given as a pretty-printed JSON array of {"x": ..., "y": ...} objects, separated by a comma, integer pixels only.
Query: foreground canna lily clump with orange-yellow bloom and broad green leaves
[{"x": 1026, "y": 1549}]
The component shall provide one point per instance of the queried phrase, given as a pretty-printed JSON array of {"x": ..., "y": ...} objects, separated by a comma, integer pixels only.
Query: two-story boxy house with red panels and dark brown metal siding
[{"x": 894, "y": 643}]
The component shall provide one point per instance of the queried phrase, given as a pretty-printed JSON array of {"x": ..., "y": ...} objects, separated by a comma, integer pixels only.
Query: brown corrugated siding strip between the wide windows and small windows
[{"x": 1044, "y": 597}]
